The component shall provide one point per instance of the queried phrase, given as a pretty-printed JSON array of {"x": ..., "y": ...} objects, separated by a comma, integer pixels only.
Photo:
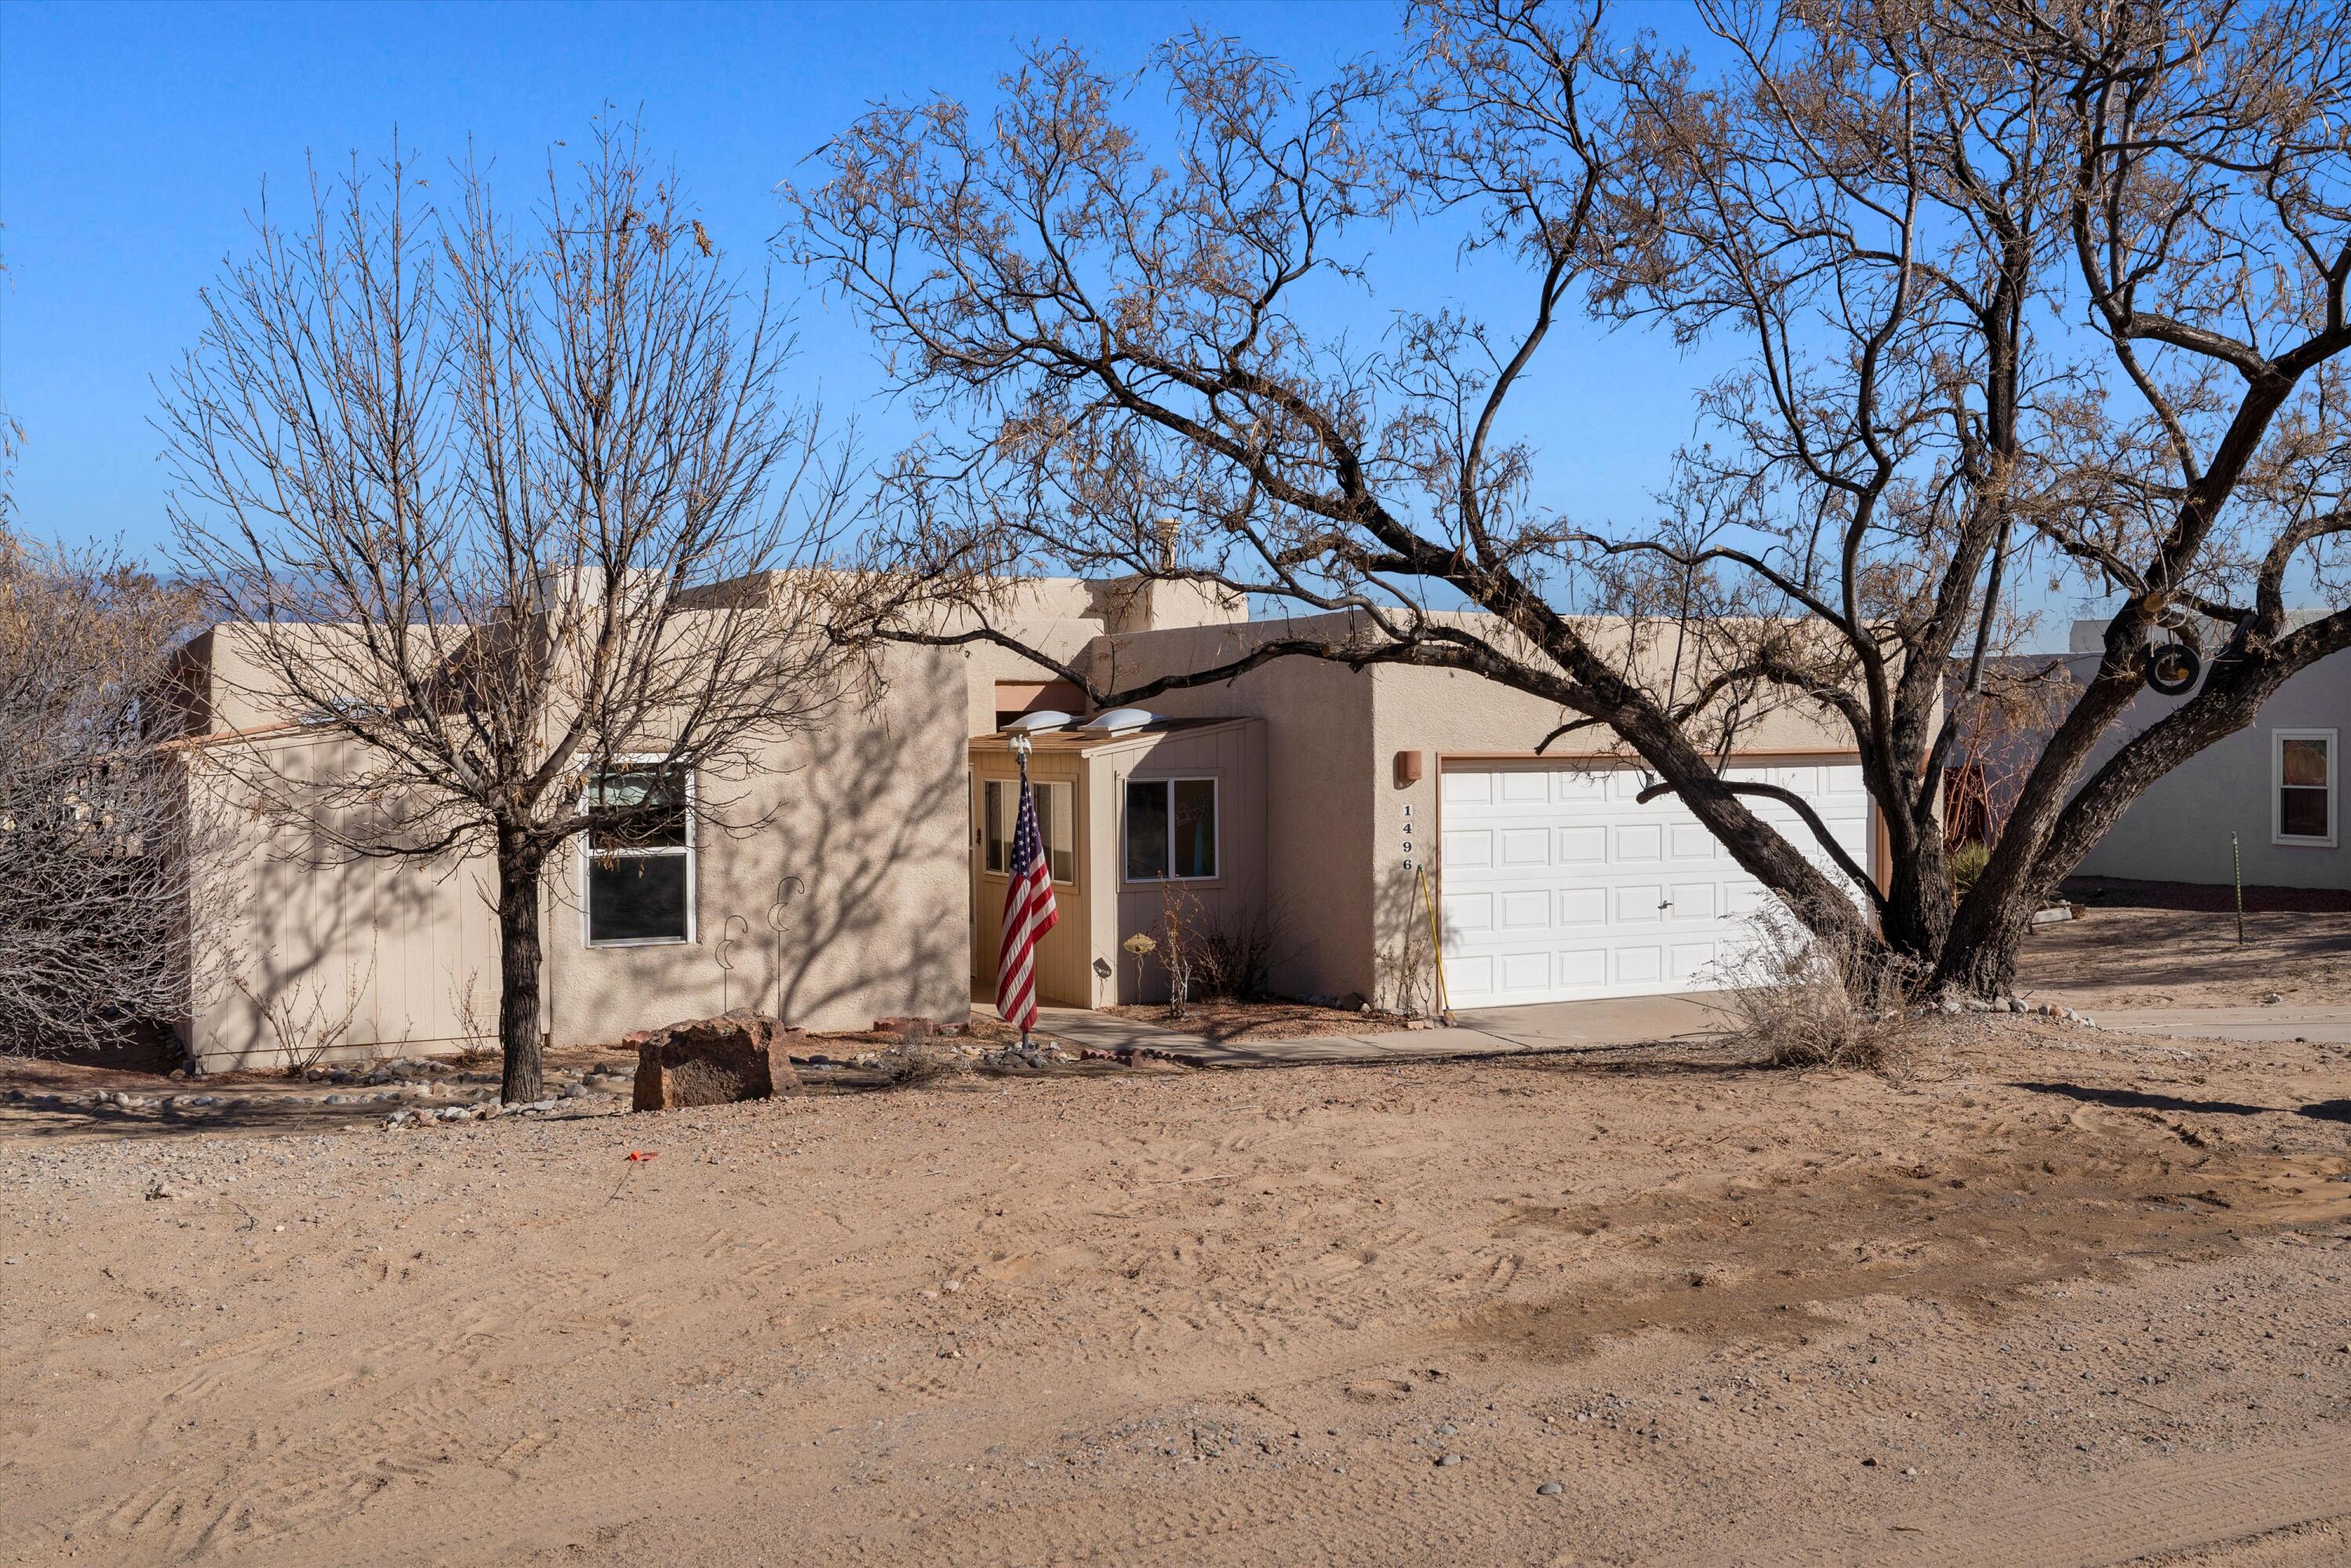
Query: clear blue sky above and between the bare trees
[{"x": 138, "y": 138}]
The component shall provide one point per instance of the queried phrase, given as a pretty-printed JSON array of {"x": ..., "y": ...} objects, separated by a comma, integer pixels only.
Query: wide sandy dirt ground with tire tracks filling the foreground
[{"x": 2049, "y": 1296}]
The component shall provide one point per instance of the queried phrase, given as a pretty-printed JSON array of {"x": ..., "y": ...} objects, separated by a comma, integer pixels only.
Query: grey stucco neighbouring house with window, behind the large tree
[{"x": 2263, "y": 805}]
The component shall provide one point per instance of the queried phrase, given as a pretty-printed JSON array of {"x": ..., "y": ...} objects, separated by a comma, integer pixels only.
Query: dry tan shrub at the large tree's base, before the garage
[{"x": 1816, "y": 1003}]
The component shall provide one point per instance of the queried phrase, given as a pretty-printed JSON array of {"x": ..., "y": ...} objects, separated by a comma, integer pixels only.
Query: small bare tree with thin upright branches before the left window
[{"x": 507, "y": 504}]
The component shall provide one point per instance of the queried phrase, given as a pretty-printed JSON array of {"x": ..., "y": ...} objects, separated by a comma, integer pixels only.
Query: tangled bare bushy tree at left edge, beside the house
[{"x": 100, "y": 890}]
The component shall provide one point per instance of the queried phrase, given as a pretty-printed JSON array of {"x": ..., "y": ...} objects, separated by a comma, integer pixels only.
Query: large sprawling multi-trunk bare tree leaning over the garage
[{"x": 1887, "y": 203}]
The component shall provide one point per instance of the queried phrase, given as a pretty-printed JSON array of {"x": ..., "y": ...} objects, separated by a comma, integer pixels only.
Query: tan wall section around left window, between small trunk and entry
[{"x": 869, "y": 812}]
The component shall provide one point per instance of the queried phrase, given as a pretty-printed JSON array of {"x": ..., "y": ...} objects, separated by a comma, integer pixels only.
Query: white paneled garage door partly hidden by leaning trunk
[{"x": 1560, "y": 885}]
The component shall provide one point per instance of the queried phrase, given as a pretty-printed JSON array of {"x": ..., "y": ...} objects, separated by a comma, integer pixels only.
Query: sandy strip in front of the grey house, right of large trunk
[{"x": 2190, "y": 958}]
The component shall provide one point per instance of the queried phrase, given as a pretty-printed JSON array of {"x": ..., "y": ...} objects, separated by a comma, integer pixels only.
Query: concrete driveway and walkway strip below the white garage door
[{"x": 1506, "y": 1031}]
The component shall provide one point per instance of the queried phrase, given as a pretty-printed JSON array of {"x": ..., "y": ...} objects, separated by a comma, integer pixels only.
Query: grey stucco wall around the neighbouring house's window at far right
[{"x": 2181, "y": 829}]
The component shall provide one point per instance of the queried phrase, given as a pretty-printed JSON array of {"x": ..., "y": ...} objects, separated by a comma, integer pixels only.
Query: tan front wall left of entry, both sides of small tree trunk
[{"x": 866, "y": 810}]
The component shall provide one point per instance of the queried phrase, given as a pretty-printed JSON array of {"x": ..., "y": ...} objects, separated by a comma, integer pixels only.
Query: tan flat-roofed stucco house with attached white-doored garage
[{"x": 1318, "y": 808}]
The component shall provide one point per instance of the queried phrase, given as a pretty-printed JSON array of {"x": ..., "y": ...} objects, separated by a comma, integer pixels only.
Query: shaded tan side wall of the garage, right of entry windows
[{"x": 1318, "y": 786}]
